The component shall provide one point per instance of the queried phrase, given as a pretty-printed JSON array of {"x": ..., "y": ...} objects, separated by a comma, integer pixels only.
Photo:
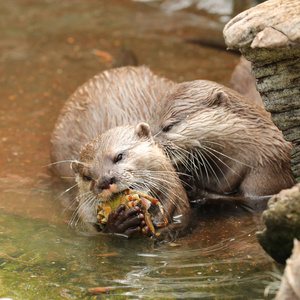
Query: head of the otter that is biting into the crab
[{"x": 114, "y": 161}]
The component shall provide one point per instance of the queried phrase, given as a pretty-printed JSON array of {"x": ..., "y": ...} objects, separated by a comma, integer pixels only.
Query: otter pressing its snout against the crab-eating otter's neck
[{"x": 228, "y": 143}]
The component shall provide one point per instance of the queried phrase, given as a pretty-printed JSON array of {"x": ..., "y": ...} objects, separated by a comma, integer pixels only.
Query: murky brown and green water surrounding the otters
[{"x": 50, "y": 47}]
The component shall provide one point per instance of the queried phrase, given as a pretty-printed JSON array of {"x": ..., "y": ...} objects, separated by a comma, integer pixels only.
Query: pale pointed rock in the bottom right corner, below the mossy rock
[{"x": 290, "y": 284}]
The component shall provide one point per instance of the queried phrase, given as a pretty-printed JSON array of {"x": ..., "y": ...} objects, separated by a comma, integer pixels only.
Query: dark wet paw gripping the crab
[{"x": 127, "y": 222}]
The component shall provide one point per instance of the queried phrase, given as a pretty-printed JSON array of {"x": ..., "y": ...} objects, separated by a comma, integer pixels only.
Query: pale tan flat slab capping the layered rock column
[{"x": 272, "y": 24}]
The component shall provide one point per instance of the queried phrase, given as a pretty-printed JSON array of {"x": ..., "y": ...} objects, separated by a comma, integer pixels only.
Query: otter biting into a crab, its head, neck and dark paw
[{"x": 126, "y": 157}]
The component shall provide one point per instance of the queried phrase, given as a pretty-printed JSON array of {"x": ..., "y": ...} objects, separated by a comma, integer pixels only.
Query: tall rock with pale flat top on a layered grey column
[{"x": 268, "y": 35}]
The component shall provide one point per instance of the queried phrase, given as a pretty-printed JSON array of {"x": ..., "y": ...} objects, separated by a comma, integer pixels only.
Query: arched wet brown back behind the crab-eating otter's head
[{"x": 122, "y": 96}]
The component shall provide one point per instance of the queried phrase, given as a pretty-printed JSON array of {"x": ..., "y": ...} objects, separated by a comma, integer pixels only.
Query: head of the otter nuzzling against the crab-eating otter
[{"x": 189, "y": 114}]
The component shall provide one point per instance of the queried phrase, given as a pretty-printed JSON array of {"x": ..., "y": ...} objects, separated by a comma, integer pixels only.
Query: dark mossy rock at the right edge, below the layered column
[{"x": 282, "y": 220}]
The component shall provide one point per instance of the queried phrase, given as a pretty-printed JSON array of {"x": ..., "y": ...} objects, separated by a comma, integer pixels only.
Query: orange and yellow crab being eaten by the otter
[{"x": 150, "y": 206}]
